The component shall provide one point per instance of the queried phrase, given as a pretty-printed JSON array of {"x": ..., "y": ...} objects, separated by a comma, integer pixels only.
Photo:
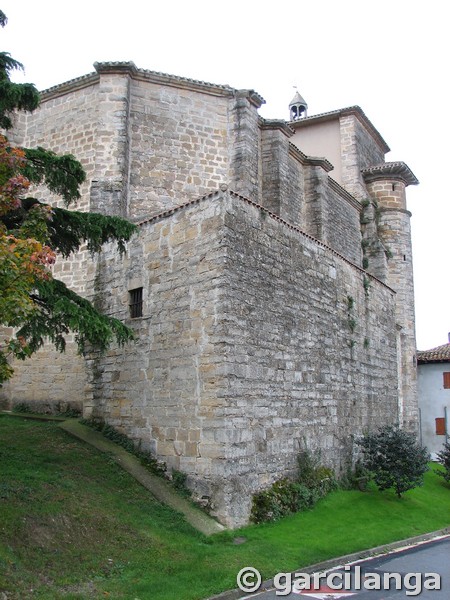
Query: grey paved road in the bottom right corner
[{"x": 428, "y": 557}]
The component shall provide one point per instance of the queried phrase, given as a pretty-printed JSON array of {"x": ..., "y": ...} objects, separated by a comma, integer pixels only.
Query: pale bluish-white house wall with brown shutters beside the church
[{"x": 434, "y": 401}]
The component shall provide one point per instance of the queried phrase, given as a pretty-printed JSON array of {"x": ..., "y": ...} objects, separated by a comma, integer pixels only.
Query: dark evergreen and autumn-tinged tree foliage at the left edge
[{"x": 32, "y": 234}]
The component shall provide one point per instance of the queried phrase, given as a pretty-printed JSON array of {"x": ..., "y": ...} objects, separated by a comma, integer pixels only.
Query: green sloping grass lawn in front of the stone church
[{"x": 74, "y": 525}]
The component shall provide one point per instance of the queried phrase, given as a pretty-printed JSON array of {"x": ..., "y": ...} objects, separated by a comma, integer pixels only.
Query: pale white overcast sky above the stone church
[{"x": 388, "y": 57}]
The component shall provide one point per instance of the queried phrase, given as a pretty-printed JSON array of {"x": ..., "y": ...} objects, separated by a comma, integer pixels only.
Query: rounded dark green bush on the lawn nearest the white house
[{"x": 394, "y": 459}]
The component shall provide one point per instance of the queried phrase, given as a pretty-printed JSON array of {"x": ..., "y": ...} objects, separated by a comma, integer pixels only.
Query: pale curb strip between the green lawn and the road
[{"x": 237, "y": 594}]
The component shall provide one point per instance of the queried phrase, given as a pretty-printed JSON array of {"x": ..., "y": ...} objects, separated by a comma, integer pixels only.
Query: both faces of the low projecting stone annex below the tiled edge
[{"x": 241, "y": 359}]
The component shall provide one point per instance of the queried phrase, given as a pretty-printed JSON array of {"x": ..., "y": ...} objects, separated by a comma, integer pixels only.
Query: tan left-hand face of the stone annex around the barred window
[{"x": 162, "y": 389}]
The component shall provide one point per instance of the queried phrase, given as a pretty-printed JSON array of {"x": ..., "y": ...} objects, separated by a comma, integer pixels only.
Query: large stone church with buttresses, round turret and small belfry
[{"x": 270, "y": 283}]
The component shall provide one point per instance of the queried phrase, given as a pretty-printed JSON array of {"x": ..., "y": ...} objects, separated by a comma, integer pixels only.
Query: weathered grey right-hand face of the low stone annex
[{"x": 310, "y": 355}]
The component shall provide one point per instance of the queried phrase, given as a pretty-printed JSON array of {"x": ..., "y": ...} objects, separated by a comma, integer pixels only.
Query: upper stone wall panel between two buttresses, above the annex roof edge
[{"x": 179, "y": 146}]
